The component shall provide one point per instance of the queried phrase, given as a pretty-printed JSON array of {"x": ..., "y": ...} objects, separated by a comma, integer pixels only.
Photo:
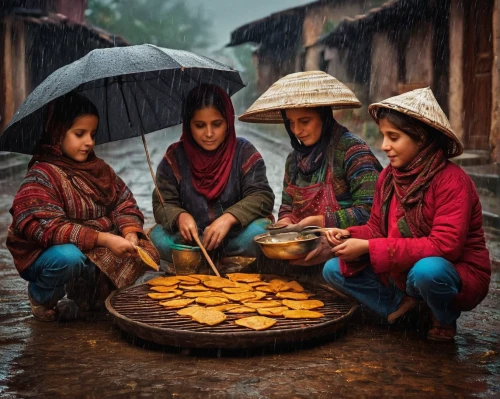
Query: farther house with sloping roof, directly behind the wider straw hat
[{"x": 286, "y": 39}]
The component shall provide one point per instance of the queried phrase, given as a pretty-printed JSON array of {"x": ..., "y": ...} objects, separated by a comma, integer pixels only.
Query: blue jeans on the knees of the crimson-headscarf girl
[{"x": 240, "y": 244}]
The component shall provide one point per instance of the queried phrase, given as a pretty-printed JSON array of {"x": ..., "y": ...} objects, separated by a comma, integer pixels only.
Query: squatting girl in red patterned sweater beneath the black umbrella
[{"x": 73, "y": 213}]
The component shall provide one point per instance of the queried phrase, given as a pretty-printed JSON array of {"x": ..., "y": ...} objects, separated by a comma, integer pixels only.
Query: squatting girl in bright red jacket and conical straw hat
[{"x": 424, "y": 239}]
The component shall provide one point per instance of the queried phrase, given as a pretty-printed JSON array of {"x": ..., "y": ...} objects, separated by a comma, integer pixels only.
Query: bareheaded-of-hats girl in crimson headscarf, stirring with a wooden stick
[{"x": 212, "y": 182}]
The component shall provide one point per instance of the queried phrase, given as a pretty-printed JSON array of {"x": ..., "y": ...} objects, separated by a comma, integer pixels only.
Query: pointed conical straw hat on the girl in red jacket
[{"x": 422, "y": 105}]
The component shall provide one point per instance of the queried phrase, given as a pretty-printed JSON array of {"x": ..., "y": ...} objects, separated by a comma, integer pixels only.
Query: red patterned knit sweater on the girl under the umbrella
[{"x": 52, "y": 208}]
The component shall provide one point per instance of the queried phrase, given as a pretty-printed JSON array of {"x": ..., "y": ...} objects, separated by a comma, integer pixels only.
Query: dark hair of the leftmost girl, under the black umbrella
[{"x": 61, "y": 114}]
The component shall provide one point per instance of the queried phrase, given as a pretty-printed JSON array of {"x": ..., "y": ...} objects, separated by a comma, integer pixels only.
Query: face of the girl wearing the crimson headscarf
[{"x": 209, "y": 128}]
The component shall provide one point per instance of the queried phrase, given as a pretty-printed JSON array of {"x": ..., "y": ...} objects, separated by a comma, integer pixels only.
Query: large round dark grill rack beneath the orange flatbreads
[{"x": 139, "y": 315}]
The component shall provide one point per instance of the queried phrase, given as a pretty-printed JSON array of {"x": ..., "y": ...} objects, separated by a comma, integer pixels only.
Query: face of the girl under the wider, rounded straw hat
[{"x": 306, "y": 125}]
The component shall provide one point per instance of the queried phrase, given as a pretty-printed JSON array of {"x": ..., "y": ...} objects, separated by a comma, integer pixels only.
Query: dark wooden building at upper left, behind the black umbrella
[{"x": 36, "y": 38}]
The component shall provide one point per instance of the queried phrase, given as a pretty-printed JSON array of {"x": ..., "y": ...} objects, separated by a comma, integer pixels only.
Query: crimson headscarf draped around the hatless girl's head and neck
[{"x": 210, "y": 170}]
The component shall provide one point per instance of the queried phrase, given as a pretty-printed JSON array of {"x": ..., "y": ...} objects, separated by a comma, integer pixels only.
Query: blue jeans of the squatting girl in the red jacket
[{"x": 434, "y": 280}]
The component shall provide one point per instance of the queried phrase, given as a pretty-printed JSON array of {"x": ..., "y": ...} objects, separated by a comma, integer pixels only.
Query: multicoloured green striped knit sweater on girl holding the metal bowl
[{"x": 355, "y": 173}]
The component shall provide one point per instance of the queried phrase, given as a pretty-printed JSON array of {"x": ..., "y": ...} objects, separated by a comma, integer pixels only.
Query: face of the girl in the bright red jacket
[{"x": 400, "y": 148}]
